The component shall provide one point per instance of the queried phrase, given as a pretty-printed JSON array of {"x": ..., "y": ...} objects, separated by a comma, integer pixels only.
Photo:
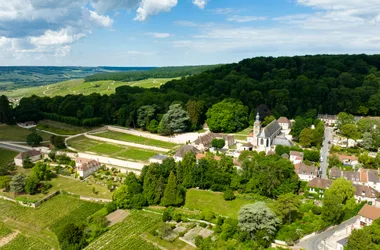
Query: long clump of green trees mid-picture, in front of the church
[{"x": 166, "y": 183}]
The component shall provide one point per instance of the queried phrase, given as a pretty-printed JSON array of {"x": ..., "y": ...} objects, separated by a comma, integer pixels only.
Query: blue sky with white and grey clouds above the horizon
[{"x": 181, "y": 32}]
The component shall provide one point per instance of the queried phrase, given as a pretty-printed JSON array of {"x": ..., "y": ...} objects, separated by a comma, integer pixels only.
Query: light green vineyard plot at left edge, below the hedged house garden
[{"x": 45, "y": 215}]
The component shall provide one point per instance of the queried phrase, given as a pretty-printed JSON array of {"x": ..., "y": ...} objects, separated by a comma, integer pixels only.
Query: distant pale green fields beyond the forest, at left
[{"x": 78, "y": 86}]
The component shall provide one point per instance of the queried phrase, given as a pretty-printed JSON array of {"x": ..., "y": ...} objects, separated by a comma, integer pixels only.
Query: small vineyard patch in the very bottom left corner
[{"x": 24, "y": 242}]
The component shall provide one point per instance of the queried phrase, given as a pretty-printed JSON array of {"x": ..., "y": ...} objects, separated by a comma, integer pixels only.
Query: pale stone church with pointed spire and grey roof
[{"x": 265, "y": 139}]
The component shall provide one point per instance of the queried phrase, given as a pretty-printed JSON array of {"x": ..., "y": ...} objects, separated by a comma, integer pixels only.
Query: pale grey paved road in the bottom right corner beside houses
[{"x": 313, "y": 242}]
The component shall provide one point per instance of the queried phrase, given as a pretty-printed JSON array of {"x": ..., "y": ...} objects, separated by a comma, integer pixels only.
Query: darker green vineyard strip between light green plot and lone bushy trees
[{"x": 78, "y": 215}]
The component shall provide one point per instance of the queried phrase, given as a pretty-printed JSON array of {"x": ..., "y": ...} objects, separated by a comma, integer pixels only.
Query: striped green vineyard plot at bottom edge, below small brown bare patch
[{"x": 127, "y": 234}]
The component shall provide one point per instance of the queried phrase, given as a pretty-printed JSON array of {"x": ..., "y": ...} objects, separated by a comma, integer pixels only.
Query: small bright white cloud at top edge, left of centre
[{"x": 153, "y": 7}]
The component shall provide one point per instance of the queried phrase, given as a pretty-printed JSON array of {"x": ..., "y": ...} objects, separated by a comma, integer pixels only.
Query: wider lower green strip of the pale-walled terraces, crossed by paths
[{"x": 83, "y": 144}]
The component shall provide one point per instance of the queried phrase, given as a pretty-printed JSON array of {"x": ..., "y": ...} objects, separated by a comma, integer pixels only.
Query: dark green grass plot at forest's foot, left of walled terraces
[{"x": 60, "y": 128}]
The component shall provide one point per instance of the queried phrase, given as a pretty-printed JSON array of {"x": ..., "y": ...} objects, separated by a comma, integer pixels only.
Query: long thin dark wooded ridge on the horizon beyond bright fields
[{"x": 163, "y": 72}]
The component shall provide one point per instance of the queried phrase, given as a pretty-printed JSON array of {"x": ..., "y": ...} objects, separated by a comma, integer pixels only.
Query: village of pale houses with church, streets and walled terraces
[{"x": 268, "y": 140}]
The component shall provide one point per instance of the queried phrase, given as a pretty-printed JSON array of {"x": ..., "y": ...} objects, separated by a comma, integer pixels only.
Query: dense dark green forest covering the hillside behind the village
[{"x": 283, "y": 86}]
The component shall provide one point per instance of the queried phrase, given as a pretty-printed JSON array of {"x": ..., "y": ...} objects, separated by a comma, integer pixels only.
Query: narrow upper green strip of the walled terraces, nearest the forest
[{"x": 136, "y": 139}]
